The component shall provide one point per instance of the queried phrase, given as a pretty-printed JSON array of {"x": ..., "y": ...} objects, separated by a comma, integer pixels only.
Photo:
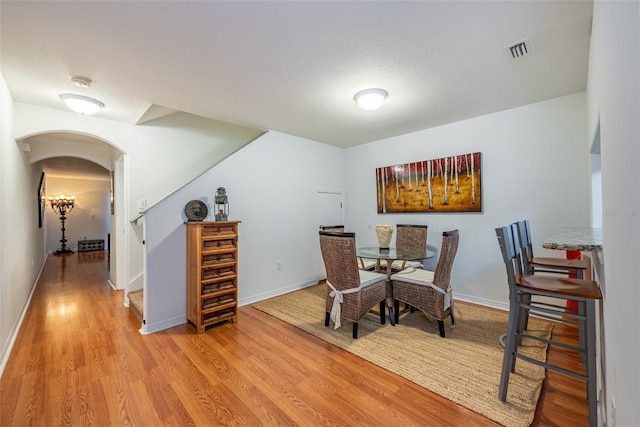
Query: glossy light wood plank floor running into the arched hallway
[{"x": 80, "y": 360}]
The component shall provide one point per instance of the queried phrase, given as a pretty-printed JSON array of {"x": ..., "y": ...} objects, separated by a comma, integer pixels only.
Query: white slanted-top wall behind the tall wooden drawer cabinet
[{"x": 271, "y": 184}]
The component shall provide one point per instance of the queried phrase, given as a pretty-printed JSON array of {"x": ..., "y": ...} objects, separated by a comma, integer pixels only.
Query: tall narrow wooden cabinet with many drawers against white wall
[{"x": 212, "y": 273}]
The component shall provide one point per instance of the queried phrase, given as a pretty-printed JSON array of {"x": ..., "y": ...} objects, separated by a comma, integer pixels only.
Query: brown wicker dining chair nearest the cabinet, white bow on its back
[{"x": 360, "y": 290}]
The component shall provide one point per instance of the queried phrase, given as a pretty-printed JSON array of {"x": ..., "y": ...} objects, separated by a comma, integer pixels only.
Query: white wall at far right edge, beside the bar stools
[{"x": 614, "y": 106}]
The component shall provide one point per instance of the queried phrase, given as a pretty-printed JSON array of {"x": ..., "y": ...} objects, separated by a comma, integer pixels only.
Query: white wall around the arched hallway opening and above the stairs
[{"x": 161, "y": 155}]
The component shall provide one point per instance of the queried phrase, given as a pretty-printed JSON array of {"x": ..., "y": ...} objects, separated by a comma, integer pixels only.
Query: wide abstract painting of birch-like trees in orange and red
[{"x": 448, "y": 184}]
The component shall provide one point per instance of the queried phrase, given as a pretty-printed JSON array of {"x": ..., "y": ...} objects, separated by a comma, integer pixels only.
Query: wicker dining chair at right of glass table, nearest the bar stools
[{"x": 429, "y": 291}]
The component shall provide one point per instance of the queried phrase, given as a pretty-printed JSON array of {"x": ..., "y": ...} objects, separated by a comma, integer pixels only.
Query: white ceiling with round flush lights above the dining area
[{"x": 295, "y": 66}]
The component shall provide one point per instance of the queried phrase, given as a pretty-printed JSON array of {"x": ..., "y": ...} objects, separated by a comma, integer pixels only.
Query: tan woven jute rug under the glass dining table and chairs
[{"x": 464, "y": 367}]
